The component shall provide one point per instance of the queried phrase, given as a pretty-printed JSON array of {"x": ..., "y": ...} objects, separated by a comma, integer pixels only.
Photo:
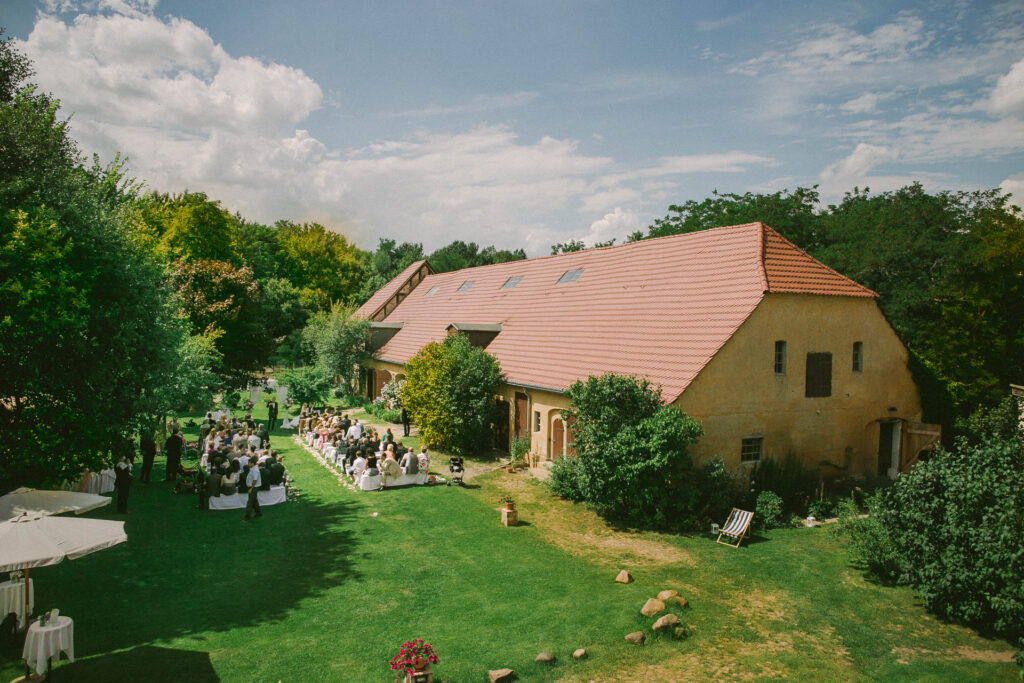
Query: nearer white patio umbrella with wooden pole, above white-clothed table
[{"x": 28, "y": 542}]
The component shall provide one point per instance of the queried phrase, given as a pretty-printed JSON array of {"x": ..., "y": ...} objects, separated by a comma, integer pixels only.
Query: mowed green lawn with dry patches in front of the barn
[{"x": 327, "y": 587}]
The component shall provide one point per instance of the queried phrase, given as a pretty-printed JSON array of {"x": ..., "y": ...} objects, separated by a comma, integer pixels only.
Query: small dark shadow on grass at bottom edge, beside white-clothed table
[{"x": 143, "y": 664}]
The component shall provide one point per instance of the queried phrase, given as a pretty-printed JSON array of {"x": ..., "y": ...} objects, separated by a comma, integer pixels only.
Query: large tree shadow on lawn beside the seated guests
[{"x": 187, "y": 571}]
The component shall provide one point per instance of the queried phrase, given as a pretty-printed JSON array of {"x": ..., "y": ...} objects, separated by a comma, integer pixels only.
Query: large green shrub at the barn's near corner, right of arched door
[{"x": 634, "y": 465}]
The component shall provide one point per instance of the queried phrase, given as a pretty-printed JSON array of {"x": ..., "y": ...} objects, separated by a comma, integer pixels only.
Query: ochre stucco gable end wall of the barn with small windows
[{"x": 739, "y": 394}]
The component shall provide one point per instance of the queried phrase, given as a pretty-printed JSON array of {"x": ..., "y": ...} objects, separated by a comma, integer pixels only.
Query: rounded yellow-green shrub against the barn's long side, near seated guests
[{"x": 450, "y": 394}]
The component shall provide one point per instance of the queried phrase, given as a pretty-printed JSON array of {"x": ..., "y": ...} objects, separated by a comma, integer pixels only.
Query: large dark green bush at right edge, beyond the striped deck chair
[{"x": 953, "y": 529}]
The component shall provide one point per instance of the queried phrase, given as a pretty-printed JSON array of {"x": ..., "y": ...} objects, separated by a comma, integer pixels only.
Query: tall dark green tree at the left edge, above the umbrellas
[{"x": 84, "y": 313}]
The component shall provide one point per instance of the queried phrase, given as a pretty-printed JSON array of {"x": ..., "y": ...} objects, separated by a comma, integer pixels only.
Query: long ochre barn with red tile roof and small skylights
[{"x": 775, "y": 353}]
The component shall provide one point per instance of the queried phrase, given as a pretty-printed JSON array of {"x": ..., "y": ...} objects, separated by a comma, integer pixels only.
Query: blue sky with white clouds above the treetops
[{"x": 523, "y": 124}]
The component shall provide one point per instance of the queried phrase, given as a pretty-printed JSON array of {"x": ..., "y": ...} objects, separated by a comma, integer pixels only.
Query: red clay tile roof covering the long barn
[{"x": 660, "y": 309}]
